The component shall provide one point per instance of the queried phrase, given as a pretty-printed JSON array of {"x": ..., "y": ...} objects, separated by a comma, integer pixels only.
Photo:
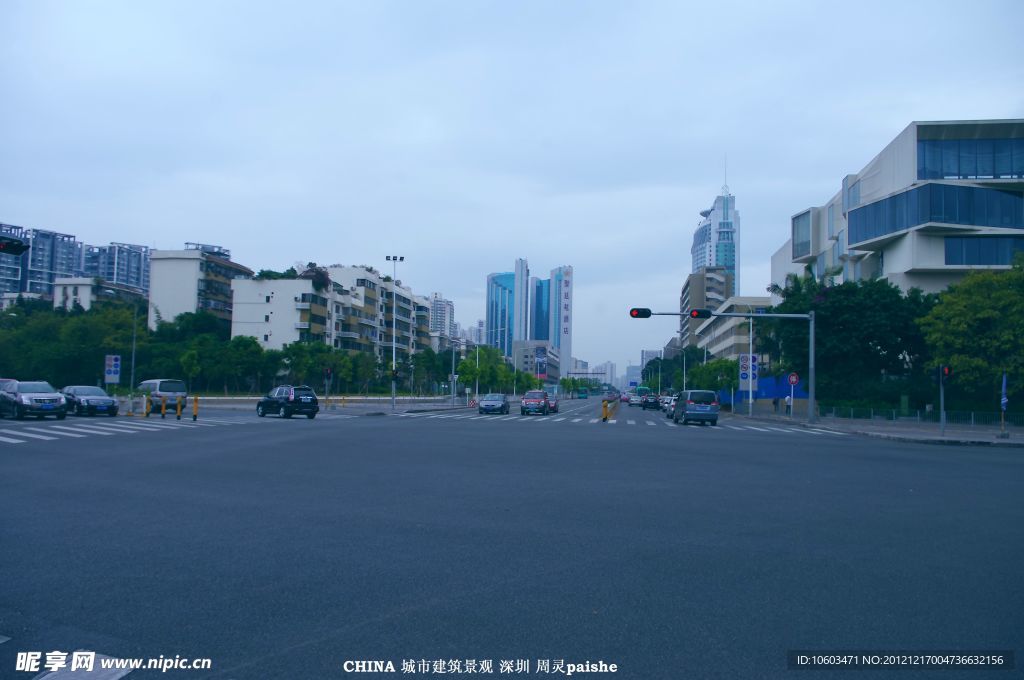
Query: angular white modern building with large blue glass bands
[{"x": 943, "y": 199}]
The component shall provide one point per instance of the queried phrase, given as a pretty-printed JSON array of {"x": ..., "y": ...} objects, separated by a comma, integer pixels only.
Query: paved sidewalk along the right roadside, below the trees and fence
[{"x": 904, "y": 431}]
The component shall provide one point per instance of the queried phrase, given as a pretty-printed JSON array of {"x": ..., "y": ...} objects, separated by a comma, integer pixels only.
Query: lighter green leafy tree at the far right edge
[{"x": 977, "y": 328}]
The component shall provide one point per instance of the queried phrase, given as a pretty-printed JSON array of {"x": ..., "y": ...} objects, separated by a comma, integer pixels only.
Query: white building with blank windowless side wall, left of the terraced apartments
[{"x": 197, "y": 279}]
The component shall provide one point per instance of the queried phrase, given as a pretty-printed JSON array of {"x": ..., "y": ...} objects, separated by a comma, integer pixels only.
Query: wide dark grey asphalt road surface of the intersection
[{"x": 283, "y": 548}]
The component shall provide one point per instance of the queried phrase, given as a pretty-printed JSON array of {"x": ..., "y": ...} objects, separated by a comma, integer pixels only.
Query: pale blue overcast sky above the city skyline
[{"x": 463, "y": 136}]
